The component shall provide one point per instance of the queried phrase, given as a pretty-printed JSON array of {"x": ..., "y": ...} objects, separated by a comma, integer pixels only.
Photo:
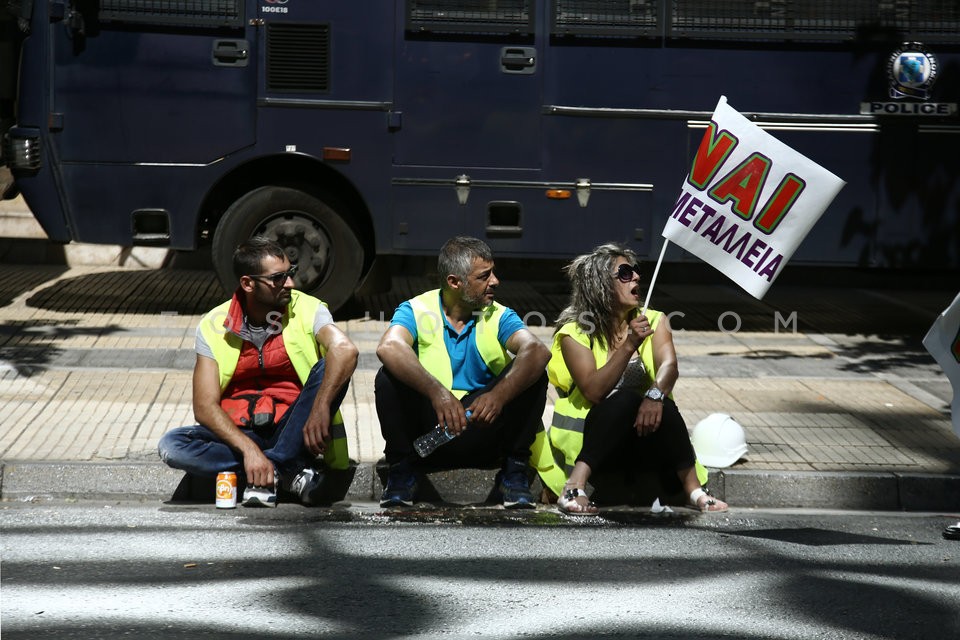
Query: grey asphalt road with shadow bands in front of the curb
[{"x": 151, "y": 570}]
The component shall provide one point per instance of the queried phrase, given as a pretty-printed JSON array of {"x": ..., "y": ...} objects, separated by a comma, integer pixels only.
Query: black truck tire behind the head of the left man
[{"x": 312, "y": 232}]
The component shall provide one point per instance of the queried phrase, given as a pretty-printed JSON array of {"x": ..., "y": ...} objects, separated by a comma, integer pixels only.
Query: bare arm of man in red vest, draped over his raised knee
[{"x": 341, "y": 361}]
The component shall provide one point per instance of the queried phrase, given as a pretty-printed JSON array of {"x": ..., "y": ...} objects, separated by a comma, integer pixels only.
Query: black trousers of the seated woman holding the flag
[{"x": 610, "y": 439}]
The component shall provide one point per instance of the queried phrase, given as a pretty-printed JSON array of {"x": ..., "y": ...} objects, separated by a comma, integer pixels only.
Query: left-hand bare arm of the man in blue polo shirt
[{"x": 397, "y": 355}]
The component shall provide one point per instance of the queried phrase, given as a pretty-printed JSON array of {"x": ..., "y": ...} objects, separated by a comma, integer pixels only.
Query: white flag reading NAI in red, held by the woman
[{"x": 748, "y": 201}]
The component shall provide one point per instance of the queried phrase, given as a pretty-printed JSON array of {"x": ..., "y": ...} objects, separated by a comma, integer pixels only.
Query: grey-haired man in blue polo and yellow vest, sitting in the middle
[{"x": 453, "y": 349}]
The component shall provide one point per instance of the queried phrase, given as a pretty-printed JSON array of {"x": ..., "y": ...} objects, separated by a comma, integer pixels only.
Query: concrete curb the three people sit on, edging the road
[{"x": 880, "y": 491}]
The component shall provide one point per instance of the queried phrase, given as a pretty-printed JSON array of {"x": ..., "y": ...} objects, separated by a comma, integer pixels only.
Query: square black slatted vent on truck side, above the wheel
[{"x": 298, "y": 58}]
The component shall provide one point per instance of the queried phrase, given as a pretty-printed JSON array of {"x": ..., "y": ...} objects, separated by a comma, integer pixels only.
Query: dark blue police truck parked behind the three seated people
[{"x": 353, "y": 132}]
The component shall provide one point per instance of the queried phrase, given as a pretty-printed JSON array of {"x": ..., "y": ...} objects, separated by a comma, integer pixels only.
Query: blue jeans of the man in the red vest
[{"x": 197, "y": 450}]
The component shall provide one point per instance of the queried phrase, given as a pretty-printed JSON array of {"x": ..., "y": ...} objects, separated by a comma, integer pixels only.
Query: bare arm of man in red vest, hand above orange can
[{"x": 206, "y": 408}]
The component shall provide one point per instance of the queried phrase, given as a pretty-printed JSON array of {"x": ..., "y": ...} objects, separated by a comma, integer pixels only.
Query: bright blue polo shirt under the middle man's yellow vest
[{"x": 470, "y": 372}]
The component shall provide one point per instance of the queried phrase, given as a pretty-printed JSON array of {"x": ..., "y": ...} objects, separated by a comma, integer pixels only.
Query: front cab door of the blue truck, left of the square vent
[{"x": 151, "y": 81}]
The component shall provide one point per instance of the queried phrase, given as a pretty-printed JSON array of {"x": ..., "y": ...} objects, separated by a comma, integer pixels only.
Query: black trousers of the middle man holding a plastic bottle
[{"x": 405, "y": 415}]
